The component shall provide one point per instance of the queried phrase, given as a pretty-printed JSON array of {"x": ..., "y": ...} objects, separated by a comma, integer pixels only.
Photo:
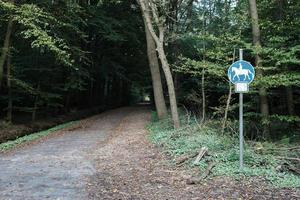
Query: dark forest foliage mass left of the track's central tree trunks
[{"x": 72, "y": 55}]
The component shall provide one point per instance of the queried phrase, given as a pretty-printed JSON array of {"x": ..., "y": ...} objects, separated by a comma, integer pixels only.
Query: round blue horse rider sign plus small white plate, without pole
[{"x": 241, "y": 74}]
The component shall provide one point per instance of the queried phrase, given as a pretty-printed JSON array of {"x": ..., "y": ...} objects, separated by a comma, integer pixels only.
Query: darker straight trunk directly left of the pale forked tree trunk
[{"x": 159, "y": 99}]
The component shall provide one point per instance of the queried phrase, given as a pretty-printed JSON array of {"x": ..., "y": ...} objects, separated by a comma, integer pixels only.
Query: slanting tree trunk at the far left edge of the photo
[{"x": 6, "y": 46}]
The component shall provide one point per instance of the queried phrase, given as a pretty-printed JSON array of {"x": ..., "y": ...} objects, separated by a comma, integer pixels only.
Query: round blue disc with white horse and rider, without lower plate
[{"x": 241, "y": 72}]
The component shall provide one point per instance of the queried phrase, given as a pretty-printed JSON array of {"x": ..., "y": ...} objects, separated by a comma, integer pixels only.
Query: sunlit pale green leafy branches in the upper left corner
[{"x": 37, "y": 26}]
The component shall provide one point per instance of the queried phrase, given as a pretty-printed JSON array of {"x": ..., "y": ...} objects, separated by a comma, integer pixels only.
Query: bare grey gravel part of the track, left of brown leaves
[{"x": 56, "y": 168}]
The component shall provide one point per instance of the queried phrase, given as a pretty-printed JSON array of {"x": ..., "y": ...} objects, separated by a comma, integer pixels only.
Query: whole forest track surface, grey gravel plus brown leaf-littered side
[{"x": 110, "y": 157}]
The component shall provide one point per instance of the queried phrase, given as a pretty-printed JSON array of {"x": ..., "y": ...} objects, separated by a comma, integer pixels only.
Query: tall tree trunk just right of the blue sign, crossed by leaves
[{"x": 264, "y": 107}]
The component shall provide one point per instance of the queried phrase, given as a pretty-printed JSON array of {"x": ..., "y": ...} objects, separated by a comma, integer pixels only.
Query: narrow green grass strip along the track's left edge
[{"x": 34, "y": 136}]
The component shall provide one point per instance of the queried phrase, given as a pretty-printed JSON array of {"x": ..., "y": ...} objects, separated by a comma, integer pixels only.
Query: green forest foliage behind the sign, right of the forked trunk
[{"x": 210, "y": 44}]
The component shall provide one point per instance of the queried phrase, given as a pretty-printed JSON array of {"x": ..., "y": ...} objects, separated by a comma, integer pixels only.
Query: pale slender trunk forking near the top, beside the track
[{"x": 159, "y": 41}]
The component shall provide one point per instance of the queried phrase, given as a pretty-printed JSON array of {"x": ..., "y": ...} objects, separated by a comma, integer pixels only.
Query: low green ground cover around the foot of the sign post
[{"x": 260, "y": 158}]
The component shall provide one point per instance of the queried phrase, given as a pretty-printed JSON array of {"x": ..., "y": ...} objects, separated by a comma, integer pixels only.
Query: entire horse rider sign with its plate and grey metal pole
[{"x": 241, "y": 74}]
